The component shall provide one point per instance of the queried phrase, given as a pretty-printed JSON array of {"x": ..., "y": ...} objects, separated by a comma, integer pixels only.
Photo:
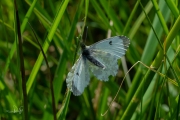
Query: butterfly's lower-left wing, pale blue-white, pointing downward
[{"x": 78, "y": 78}]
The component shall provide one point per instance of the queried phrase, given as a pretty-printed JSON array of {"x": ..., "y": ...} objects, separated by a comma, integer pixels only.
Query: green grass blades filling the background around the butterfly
[{"x": 153, "y": 28}]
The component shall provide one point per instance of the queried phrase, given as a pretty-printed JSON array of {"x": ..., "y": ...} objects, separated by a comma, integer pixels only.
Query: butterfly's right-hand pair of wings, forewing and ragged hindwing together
[{"x": 107, "y": 52}]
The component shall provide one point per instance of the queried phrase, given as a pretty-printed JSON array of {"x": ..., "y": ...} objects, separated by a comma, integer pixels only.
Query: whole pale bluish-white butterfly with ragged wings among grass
[{"x": 100, "y": 59}]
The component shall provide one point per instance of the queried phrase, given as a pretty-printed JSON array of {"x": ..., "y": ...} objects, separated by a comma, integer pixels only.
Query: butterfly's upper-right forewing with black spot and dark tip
[{"x": 115, "y": 45}]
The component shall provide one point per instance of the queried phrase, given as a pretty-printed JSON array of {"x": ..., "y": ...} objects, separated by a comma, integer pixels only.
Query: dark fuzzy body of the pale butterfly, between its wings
[{"x": 87, "y": 55}]
